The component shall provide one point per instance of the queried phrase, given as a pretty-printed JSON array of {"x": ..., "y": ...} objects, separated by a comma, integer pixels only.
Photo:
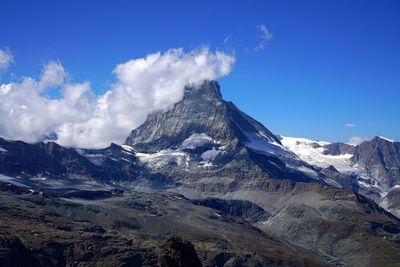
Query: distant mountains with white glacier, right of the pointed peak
[{"x": 371, "y": 168}]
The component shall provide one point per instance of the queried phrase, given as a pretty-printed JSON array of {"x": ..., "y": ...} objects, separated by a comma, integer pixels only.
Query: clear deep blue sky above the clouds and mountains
[{"x": 329, "y": 62}]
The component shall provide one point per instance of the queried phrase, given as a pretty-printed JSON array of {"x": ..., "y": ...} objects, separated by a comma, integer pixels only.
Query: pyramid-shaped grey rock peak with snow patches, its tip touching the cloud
[{"x": 205, "y": 136}]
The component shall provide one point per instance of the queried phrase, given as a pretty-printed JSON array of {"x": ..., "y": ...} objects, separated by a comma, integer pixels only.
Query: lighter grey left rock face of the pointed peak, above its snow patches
[{"x": 202, "y": 110}]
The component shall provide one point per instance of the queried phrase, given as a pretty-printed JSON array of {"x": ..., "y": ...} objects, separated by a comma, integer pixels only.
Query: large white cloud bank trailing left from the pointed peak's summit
[{"x": 81, "y": 119}]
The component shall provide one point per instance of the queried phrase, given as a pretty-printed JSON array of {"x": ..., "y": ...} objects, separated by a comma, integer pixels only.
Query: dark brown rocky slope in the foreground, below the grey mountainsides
[{"x": 133, "y": 229}]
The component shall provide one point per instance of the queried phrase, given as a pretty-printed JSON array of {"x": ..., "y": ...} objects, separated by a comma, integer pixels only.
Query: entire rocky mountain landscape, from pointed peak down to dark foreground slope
[{"x": 201, "y": 184}]
